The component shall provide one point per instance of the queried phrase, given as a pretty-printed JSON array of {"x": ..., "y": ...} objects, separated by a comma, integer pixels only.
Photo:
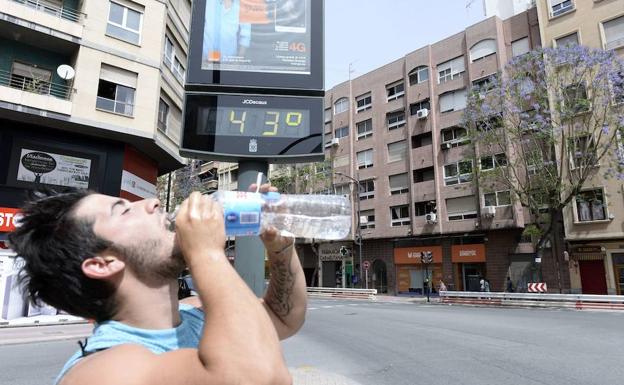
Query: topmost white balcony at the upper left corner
[{"x": 34, "y": 14}]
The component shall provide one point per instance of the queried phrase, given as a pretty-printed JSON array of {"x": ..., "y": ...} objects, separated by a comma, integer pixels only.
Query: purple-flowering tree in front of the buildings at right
[{"x": 543, "y": 128}]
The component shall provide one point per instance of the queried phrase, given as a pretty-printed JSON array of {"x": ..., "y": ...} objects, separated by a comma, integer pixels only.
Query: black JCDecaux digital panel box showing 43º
[{"x": 235, "y": 126}]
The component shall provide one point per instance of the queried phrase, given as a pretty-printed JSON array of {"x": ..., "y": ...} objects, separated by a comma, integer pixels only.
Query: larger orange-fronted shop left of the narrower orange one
[{"x": 412, "y": 274}]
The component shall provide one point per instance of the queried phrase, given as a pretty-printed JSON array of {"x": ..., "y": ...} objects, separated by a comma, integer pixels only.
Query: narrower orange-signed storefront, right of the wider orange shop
[{"x": 468, "y": 266}]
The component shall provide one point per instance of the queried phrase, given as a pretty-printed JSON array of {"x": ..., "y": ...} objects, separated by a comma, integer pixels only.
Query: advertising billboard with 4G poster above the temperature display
[{"x": 256, "y": 43}]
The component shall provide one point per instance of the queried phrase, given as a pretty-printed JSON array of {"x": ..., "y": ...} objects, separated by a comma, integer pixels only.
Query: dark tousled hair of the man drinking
[{"x": 53, "y": 243}]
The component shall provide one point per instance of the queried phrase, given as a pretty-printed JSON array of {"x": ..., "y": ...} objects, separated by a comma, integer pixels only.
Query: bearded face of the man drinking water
[{"x": 139, "y": 233}]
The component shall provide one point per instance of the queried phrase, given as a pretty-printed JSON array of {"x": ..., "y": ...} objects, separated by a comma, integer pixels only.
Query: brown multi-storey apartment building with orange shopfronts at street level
[{"x": 396, "y": 133}]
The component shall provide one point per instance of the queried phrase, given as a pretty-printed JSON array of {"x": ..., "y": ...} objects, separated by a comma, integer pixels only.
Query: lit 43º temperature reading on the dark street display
[{"x": 263, "y": 122}]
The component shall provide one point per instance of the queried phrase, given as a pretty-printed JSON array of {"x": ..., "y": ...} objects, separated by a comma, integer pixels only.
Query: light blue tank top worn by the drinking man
[{"x": 111, "y": 333}]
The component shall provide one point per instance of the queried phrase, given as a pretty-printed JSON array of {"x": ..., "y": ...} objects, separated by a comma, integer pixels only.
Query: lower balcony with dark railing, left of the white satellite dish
[{"x": 39, "y": 94}]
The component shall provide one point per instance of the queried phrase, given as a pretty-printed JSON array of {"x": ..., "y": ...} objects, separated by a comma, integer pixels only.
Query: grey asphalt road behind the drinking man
[{"x": 395, "y": 343}]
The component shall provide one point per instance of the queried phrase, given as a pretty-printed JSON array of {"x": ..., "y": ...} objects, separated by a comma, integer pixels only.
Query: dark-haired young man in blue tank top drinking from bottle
[{"x": 116, "y": 262}]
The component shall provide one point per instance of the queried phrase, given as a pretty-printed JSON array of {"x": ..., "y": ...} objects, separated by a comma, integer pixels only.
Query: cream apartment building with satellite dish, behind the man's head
[{"x": 91, "y": 94}]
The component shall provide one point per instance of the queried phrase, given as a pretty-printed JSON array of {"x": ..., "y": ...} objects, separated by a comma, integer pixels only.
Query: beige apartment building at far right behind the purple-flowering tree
[{"x": 595, "y": 242}]
